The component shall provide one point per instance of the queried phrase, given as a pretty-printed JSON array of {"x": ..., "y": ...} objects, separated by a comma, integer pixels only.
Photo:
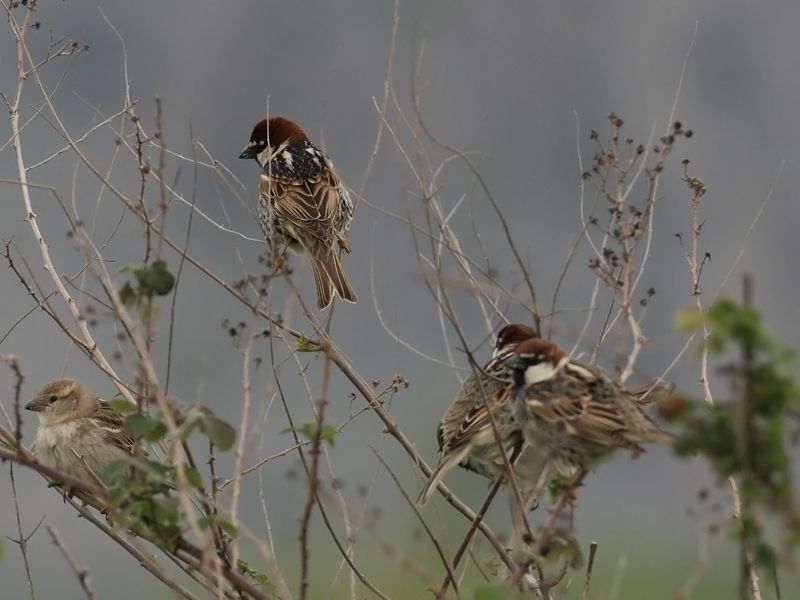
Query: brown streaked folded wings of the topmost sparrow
[{"x": 309, "y": 204}]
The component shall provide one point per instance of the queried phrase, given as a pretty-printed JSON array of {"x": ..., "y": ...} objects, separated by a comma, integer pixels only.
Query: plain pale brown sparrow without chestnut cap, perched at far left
[{"x": 78, "y": 433}]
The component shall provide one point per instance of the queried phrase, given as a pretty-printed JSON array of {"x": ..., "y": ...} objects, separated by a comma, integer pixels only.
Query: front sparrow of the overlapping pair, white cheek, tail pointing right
[{"x": 574, "y": 411}]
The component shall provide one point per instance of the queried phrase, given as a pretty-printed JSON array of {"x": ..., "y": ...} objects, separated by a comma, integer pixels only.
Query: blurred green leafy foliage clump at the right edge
[{"x": 766, "y": 390}]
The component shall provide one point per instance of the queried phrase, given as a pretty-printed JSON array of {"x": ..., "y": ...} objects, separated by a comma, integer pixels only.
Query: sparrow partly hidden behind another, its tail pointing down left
[{"x": 465, "y": 434}]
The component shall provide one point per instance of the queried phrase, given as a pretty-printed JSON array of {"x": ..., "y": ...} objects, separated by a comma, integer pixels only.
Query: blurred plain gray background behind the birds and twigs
[{"x": 503, "y": 80}]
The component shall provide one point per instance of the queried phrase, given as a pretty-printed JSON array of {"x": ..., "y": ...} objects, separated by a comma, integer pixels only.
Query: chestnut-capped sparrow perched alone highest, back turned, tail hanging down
[{"x": 302, "y": 202}]
